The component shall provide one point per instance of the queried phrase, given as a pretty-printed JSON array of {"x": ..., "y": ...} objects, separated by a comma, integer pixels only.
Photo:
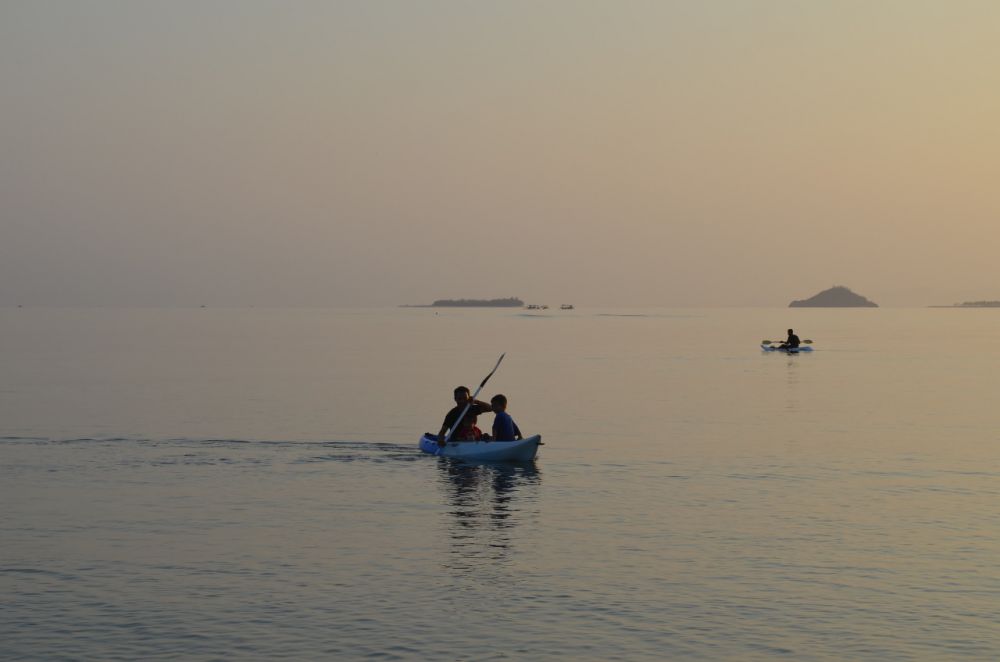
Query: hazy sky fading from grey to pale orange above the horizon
[{"x": 593, "y": 152}]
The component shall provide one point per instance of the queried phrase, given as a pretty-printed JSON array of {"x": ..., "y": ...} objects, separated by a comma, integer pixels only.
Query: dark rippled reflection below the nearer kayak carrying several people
[{"x": 486, "y": 502}]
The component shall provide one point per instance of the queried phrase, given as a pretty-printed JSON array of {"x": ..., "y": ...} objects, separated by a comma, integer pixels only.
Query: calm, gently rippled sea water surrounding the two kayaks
[{"x": 206, "y": 484}]
